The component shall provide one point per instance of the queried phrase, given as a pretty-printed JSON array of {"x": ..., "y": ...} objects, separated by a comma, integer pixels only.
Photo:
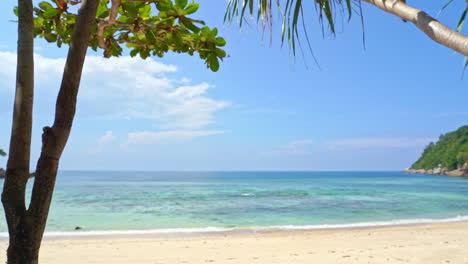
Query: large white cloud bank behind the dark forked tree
[{"x": 125, "y": 88}]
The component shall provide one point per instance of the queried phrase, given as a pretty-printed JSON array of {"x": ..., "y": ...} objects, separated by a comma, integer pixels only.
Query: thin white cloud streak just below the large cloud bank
[{"x": 150, "y": 137}]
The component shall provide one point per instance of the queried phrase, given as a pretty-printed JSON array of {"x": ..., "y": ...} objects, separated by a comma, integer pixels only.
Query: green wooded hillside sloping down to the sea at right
[{"x": 451, "y": 151}]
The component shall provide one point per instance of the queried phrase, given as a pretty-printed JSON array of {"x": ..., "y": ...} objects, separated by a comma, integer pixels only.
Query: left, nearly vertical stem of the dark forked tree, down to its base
[{"x": 17, "y": 173}]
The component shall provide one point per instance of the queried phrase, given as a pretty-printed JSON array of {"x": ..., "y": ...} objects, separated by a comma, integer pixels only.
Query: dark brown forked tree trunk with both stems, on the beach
[{"x": 26, "y": 227}]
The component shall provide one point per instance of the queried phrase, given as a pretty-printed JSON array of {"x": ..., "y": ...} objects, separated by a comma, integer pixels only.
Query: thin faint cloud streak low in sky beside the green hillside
[{"x": 364, "y": 143}]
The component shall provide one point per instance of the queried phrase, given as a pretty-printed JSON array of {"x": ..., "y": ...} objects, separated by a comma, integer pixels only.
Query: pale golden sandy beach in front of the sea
[{"x": 429, "y": 243}]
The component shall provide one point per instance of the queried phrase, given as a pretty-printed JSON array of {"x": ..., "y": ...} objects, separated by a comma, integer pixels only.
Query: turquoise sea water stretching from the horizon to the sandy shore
[{"x": 118, "y": 201}]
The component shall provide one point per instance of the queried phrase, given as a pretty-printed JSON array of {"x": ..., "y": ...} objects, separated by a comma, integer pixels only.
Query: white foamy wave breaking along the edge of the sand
[{"x": 200, "y": 230}]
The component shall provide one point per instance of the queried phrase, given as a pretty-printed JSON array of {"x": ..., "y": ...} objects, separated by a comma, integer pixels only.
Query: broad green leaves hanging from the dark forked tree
[{"x": 145, "y": 29}]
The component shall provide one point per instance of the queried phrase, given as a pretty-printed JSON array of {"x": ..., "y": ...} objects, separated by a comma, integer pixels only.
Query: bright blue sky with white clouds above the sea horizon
[{"x": 362, "y": 108}]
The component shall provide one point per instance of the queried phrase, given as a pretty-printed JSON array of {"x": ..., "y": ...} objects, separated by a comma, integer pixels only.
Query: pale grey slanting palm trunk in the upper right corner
[{"x": 429, "y": 25}]
